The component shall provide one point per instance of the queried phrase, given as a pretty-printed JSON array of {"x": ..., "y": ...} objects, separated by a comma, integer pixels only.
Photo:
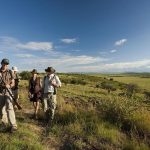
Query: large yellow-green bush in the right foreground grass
[{"x": 118, "y": 111}]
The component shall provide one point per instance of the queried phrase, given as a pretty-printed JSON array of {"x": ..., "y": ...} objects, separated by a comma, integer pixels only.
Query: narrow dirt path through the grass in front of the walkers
[{"x": 38, "y": 126}]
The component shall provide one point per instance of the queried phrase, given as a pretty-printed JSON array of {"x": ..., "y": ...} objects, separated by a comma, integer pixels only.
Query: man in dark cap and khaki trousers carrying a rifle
[{"x": 6, "y": 104}]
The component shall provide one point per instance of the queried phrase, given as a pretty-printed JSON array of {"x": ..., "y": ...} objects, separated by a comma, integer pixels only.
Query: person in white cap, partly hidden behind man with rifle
[{"x": 16, "y": 87}]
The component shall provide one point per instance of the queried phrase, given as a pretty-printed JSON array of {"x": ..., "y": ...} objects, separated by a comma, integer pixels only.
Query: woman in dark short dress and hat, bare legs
[{"x": 35, "y": 86}]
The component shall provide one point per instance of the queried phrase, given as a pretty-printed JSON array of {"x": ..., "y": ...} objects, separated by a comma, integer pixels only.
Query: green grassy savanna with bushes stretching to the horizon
[{"x": 94, "y": 112}]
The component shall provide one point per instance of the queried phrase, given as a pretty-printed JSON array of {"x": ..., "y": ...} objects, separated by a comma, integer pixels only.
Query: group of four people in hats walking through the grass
[{"x": 39, "y": 90}]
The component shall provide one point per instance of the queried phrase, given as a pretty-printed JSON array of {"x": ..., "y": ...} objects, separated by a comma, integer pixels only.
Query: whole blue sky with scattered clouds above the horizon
[{"x": 76, "y": 35}]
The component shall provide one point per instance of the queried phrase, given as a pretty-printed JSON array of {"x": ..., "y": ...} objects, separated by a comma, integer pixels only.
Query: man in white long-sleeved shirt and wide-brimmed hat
[{"x": 50, "y": 83}]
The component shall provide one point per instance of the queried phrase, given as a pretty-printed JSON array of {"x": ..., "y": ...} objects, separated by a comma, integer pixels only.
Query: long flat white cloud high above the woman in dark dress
[{"x": 45, "y": 46}]
